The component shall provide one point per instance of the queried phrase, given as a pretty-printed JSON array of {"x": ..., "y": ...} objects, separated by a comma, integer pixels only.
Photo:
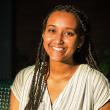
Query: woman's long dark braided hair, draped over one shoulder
[{"x": 85, "y": 54}]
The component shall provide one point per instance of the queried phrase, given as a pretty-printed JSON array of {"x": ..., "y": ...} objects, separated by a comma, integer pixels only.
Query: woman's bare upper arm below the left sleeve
[{"x": 14, "y": 103}]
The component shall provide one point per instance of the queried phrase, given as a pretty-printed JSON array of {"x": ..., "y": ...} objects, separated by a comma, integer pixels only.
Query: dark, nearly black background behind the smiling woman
[{"x": 20, "y": 30}]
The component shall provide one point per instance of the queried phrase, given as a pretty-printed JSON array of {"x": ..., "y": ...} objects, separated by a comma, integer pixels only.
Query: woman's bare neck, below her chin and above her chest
[{"x": 60, "y": 70}]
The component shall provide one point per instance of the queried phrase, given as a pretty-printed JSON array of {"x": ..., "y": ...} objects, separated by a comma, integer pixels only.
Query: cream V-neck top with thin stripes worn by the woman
[{"x": 88, "y": 89}]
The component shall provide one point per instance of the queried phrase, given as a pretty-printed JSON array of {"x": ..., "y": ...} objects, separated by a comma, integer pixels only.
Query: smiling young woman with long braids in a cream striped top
[{"x": 64, "y": 76}]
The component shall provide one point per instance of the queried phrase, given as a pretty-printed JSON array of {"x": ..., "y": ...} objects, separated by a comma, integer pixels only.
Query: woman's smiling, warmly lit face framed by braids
[{"x": 59, "y": 37}]
